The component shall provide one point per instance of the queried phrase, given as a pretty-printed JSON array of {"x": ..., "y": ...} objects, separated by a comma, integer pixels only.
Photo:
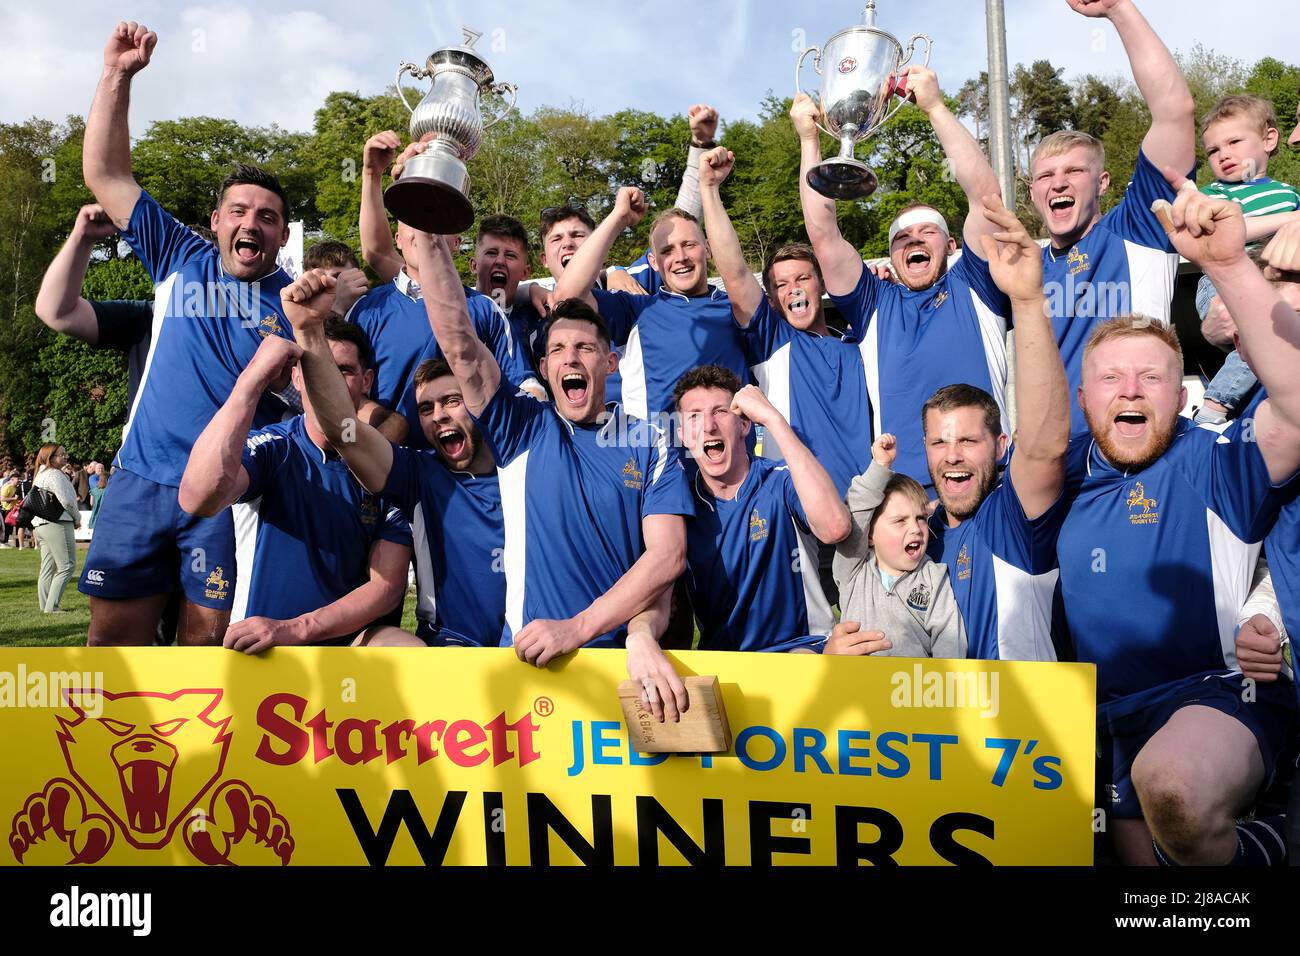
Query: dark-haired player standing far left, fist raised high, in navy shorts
[{"x": 214, "y": 306}]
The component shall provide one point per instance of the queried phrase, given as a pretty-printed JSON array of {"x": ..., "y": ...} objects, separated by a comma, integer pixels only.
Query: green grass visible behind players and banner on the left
[{"x": 24, "y": 626}]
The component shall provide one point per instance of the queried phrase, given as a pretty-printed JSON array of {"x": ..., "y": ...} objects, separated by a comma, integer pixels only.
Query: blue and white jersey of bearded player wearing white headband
[{"x": 916, "y": 343}]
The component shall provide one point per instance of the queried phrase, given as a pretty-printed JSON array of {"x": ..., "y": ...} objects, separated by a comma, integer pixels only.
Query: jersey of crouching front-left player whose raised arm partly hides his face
[{"x": 305, "y": 526}]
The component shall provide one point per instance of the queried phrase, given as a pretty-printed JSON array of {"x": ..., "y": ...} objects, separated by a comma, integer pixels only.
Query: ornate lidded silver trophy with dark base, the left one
[{"x": 432, "y": 193}]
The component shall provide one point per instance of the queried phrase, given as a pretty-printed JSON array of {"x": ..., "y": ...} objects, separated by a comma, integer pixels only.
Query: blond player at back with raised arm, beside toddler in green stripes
[{"x": 1097, "y": 267}]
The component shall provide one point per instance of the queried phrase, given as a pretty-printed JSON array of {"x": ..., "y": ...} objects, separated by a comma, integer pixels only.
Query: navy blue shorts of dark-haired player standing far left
[{"x": 146, "y": 544}]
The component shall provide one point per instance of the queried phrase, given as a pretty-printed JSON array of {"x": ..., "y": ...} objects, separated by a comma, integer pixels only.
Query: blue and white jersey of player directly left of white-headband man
[{"x": 820, "y": 386}]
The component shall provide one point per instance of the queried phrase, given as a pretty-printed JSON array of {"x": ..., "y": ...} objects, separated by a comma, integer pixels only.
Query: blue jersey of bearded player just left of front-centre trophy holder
[{"x": 460, "y": 544}]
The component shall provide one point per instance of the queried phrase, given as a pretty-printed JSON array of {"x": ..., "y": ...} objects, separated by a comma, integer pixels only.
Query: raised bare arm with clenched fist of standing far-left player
[{"x": 107, "y": 149}]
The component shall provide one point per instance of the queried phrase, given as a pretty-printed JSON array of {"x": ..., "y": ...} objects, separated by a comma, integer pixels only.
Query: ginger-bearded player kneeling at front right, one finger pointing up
[{"x": 1158, "y": 556}]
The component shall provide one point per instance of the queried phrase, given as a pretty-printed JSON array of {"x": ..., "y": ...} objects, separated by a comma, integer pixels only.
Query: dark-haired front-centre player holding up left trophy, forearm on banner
[{"x": 593, "y": 500}]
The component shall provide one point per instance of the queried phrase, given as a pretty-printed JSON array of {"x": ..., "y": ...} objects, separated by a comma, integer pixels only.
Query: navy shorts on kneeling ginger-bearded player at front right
[{"x": 1271, "y": 717}]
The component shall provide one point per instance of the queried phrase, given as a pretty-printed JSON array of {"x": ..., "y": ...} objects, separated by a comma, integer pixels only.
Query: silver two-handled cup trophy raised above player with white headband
[{"x": 861, "y": 77}]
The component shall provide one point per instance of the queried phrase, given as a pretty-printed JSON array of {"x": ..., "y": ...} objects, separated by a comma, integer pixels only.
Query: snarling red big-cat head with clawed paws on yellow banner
[{"x": 142, "y": 764}]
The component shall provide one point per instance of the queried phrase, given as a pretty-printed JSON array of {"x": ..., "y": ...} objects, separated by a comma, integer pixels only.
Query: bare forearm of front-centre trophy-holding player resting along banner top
[{"x": 664, "y": 560}]
